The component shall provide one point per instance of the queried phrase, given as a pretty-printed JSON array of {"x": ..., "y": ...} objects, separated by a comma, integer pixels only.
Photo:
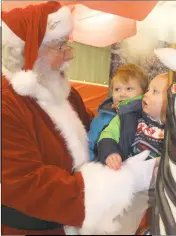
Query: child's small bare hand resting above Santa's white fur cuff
[{"x": 114, "y": 161}]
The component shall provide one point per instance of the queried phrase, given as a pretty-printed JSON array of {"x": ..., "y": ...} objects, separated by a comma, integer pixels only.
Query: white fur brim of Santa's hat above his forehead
[{"x": 59, "y": 25}]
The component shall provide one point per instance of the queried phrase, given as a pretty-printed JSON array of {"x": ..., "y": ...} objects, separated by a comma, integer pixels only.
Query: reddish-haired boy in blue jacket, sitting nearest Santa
[{"x": 128, "y": 85}]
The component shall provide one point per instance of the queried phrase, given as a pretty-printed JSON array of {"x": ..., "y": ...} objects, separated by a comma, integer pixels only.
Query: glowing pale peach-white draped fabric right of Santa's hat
[{"x": 100, "y": 29}]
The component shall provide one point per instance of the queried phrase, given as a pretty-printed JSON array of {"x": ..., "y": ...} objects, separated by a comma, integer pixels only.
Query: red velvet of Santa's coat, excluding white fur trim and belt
[{"x": 37, "y": 177}]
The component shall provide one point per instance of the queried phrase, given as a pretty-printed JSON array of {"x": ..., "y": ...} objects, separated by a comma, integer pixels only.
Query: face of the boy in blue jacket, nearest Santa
[{"x": 123, "y": 91}]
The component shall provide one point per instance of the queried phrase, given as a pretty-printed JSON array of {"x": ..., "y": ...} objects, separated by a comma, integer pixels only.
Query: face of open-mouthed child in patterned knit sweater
[{"x": 155, "y": 99}]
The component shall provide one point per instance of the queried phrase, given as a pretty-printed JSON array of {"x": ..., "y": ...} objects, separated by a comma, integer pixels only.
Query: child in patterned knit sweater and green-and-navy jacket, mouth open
[{"x": 149, "y": 134}]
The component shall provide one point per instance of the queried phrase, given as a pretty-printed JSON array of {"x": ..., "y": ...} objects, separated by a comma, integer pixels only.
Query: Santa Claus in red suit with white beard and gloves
[{"x": 47, "y": 181}]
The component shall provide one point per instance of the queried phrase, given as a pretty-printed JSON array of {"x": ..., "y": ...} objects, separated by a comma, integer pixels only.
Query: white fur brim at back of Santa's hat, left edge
[{"x": 10, "y": 38}]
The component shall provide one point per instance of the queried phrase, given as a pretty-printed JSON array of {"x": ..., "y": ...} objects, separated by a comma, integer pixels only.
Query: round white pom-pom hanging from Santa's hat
[{"x": 25, "y": 83}]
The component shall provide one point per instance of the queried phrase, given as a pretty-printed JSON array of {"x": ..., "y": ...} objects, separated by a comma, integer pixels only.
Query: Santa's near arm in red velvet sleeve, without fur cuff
[{"x": 46, "y": 192}]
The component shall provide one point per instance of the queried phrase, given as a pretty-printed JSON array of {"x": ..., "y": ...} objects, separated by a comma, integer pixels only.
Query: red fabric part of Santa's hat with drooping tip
[{"x": 29, "y": 24}]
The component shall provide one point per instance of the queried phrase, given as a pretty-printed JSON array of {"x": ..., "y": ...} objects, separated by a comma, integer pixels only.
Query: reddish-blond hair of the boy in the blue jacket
[{"x": 131, "y": 71}]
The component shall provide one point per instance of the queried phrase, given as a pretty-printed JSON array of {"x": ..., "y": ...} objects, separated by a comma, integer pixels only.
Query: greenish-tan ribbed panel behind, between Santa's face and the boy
[{"x": 90, "y": 64}]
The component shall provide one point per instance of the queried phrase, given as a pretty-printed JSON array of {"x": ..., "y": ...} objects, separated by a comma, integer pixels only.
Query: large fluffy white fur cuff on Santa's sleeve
[{"x": 107, "y": 194}]
